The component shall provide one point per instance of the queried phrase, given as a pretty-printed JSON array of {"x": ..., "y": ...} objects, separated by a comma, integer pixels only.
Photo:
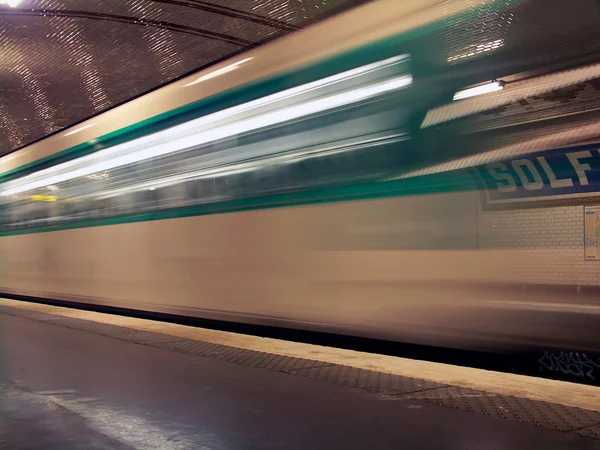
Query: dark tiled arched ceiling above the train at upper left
[{"x": 62, "y": 61}]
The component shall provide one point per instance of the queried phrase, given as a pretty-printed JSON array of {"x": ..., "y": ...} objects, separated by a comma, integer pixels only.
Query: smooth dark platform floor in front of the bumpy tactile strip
[{"x": 68, "y": 389}]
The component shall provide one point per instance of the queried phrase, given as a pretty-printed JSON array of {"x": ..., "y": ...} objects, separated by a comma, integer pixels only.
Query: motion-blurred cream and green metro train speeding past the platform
[{"x": 422, "y": 171}]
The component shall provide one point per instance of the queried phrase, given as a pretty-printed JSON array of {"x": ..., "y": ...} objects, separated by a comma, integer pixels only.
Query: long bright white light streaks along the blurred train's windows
[{"x": 221, "y": 125}]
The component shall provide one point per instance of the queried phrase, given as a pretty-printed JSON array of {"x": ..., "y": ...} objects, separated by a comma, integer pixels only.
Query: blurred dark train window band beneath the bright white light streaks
[{"x": 345, "y": 145}]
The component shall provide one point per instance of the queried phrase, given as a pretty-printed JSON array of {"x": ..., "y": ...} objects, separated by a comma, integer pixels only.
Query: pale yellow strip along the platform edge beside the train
[{"x": 559, "y": 392}]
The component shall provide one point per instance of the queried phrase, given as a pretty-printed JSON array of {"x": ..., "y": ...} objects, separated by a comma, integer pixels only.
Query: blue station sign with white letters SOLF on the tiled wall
[{"x": 555, "y": 174}]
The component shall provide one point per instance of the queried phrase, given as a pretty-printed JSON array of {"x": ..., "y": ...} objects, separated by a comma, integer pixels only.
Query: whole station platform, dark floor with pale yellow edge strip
[{"x": 73, "y": 379}]
